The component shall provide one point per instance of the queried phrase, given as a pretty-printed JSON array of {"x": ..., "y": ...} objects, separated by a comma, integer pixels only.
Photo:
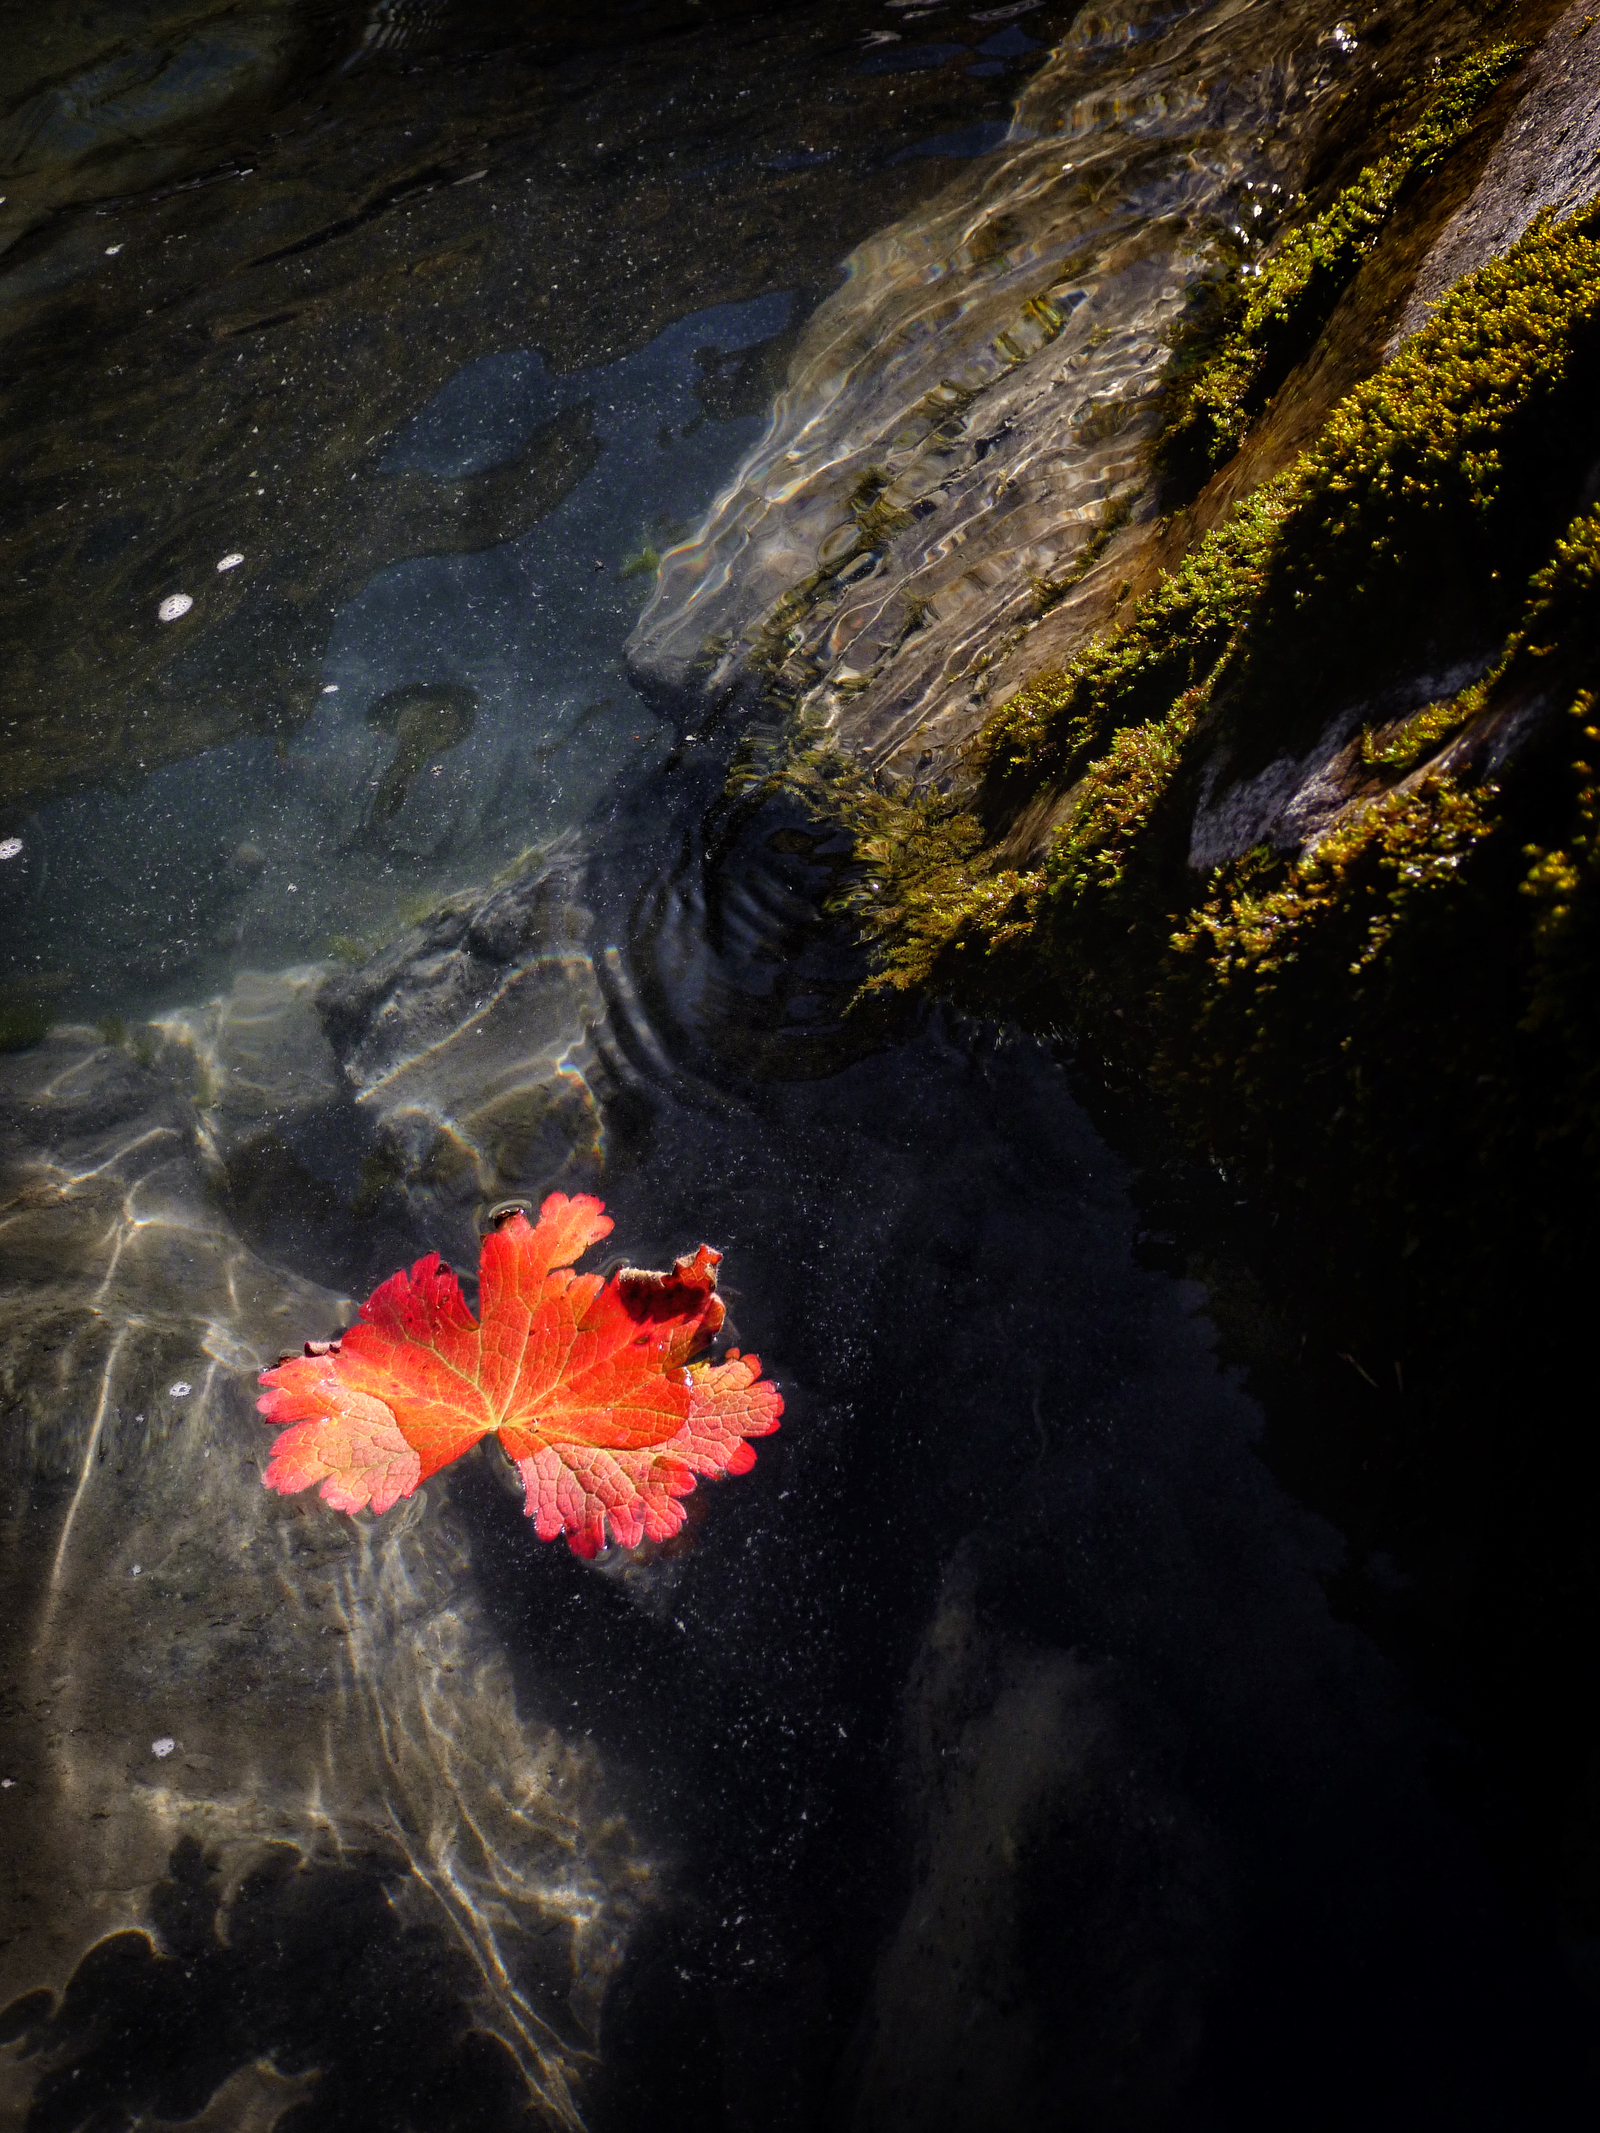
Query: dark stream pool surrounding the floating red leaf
[{"x": 991, "y": 1757}]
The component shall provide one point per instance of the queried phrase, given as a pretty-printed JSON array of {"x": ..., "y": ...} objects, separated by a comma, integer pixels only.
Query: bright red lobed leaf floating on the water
[{"x": 588, "y": 1383}]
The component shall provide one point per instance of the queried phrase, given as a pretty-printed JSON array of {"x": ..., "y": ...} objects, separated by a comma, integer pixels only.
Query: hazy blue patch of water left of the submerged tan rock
[{"x": 261, "y": 854}]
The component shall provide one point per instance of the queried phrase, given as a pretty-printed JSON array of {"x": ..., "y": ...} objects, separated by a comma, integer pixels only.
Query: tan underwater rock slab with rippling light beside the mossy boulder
[{"x": 967, "y": 419}]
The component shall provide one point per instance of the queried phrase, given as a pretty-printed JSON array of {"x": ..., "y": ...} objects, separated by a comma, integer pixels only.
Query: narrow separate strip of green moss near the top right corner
[{"x": 1277, "y": 312}]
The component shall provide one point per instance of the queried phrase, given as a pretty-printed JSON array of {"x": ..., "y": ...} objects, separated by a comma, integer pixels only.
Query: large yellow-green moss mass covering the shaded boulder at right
[{"x": 1264, "y": 997}]
